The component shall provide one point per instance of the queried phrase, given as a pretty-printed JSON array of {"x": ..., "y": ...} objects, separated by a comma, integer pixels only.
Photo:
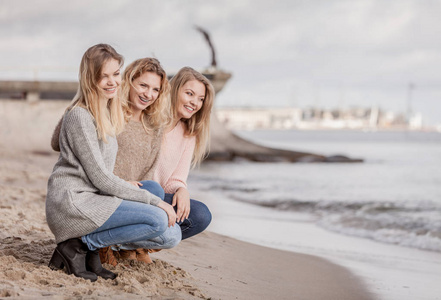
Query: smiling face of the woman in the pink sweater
[{"x": 191, "y": 97}]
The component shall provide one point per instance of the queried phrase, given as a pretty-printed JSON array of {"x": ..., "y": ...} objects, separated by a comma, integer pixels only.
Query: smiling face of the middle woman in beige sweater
[{"x": 144, "y": 91}]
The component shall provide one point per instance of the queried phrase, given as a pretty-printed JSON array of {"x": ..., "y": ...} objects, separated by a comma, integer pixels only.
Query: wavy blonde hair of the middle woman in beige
[{"x": 158, "y": 113}]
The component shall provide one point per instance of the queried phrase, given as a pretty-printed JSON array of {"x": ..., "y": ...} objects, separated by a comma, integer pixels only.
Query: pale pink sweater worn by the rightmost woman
[{"x": 175, "y": 159}]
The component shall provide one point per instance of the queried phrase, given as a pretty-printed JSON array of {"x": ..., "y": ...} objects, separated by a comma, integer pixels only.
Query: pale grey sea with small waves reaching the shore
[{"x": 393, "y": 196}]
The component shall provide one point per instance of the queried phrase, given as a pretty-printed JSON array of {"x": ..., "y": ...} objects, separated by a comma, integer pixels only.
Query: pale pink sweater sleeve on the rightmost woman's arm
[{"x": 179, "y": 176}]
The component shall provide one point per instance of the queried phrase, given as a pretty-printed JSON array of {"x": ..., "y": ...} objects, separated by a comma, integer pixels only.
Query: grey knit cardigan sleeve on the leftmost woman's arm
[{"x": 82, "y": 138}]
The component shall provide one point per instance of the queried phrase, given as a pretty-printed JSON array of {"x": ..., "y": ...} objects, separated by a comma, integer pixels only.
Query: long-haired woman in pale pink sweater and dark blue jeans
[{"x": 185, "y": 144}]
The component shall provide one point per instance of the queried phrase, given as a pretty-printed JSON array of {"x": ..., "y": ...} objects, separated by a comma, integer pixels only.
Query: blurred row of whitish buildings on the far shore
[{"x": 247, "y": 118}]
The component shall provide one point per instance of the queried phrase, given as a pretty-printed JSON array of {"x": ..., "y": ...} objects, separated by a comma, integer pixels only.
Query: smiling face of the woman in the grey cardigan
[{"x": 110, "y": 79}]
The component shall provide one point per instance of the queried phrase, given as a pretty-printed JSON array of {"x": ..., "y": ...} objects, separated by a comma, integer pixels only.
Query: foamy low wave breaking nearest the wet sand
[{"x": 416, "y": 225}]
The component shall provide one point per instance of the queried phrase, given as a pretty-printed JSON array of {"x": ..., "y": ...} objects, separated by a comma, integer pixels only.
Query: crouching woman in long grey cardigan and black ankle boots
[{"x": 87, "y": 206}]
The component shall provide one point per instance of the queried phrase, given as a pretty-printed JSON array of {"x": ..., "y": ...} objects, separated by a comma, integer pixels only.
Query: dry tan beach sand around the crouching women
[{"x": 208, "y": 266}]
